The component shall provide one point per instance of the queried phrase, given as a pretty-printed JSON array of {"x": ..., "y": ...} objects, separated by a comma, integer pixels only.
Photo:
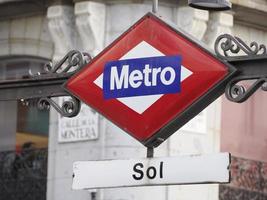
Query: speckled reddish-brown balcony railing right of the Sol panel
[{"x": 249, "y": 181}]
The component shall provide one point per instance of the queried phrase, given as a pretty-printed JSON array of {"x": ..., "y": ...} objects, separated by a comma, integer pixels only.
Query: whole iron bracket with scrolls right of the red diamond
[{"x": 250, "y": 62}]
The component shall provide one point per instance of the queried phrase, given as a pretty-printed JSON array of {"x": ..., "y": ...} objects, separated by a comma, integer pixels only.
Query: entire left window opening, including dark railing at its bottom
[{"x": 23, "y": 132}]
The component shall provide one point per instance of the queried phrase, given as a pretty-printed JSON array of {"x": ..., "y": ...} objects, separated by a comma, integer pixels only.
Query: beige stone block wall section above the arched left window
[{"x": 26, "y": 36}]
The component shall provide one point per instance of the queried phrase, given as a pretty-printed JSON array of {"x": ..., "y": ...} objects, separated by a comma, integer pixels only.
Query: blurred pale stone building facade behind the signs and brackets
[{"x": 35, "y": 32}]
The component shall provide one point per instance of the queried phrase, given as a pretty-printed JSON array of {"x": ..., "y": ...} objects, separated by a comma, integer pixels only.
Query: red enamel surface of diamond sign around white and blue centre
[{"x": 207, "y": 71}]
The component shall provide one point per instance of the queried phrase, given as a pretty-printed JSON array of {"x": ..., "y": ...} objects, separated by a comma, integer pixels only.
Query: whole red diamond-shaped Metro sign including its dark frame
[{"x": 151, "y": 80}]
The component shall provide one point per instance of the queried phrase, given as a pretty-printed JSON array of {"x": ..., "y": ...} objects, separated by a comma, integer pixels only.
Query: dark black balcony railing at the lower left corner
[{"x": 23, "y": 175}]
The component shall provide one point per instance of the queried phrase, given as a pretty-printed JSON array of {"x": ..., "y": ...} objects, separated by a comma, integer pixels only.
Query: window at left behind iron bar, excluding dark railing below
[{"x": 21, "y": 122}]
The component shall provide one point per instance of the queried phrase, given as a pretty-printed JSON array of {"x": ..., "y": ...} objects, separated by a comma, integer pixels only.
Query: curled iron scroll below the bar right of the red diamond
[{"x": 238, "y": 93}]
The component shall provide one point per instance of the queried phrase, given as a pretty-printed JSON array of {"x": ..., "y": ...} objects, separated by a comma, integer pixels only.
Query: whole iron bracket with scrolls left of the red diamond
[{"x": 44, "y": 86}]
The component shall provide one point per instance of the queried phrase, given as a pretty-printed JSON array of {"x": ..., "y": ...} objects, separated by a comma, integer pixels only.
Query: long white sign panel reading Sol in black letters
[{"x": 152, "y": 171}]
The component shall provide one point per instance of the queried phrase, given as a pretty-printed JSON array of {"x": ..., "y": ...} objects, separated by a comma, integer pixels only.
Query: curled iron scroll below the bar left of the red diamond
[{"x": 69, "y": 108}]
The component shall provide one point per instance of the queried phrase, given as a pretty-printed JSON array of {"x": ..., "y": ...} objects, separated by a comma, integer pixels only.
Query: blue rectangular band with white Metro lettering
[{"x": 142, "y": 76}]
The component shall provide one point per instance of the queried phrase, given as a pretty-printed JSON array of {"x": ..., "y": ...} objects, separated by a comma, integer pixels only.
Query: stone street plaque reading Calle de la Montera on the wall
[{"x": 80, "y": 128}]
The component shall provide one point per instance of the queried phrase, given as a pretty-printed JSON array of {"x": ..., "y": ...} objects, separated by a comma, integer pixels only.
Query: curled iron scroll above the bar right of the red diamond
[{"x": 227, "y": 47}]
